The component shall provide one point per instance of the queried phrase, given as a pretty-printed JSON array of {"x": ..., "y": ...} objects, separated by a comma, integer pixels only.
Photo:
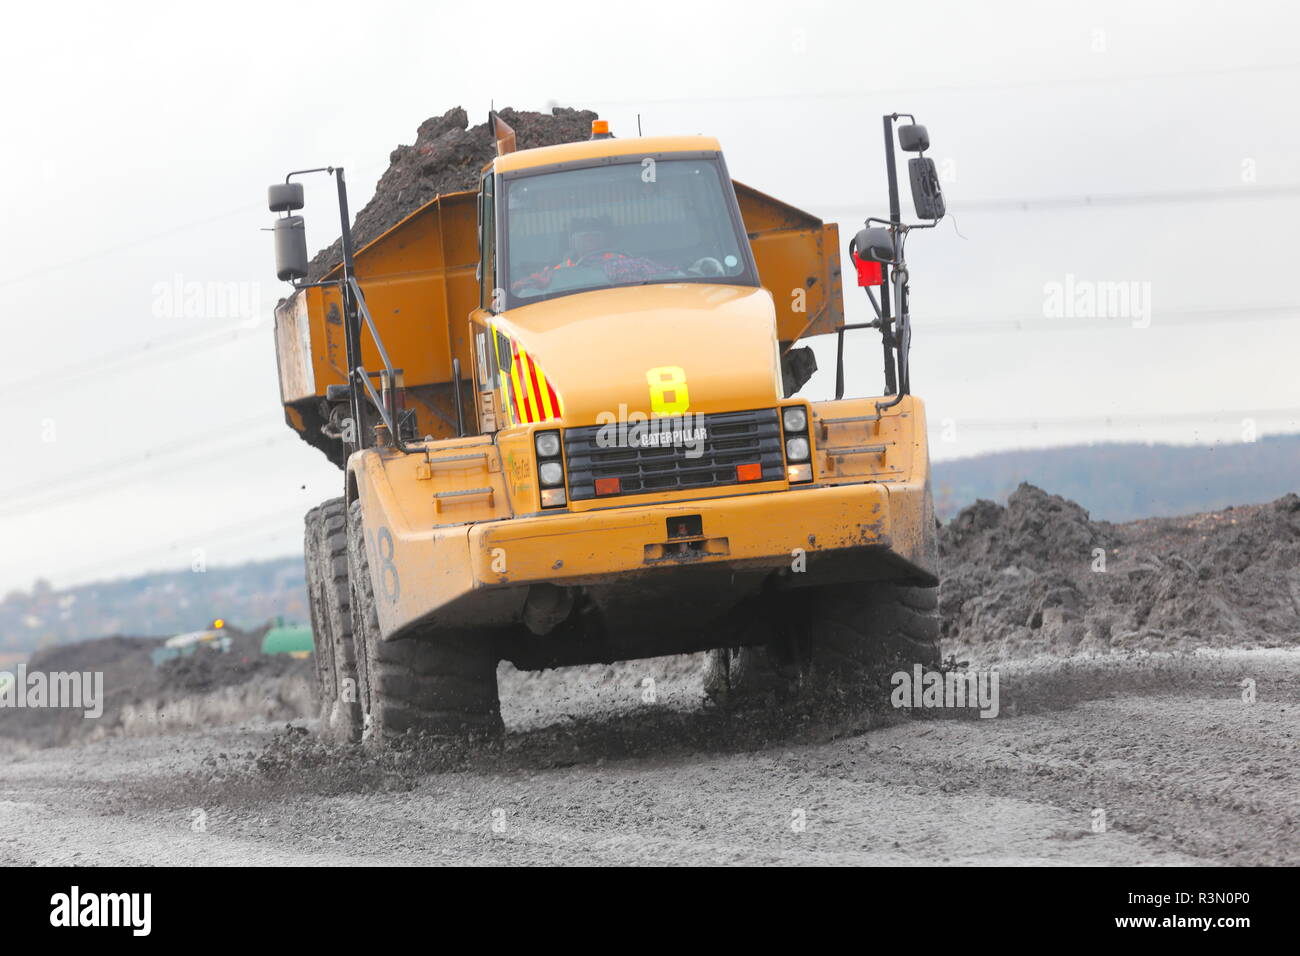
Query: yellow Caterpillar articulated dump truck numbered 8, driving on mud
[{"x": 567, "y": 412}]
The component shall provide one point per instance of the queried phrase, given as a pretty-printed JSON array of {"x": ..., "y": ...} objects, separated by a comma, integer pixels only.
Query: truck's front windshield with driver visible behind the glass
[{"x": 627, "y": 223}]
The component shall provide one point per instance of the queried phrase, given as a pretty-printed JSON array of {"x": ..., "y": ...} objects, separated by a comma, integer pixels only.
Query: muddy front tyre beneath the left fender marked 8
[{"x": 434, "y": 686}]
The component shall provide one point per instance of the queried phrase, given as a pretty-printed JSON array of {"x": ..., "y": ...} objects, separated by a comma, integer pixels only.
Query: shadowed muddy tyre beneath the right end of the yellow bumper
[{"x": 840, "y": 641}]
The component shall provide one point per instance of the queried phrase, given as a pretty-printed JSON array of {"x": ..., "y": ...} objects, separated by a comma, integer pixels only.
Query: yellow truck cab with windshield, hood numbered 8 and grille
[{"x": 617, "y": 275}]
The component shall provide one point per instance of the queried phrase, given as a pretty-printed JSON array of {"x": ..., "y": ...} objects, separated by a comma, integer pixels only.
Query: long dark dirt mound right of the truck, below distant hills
[{"x": 1041, "y": 576}]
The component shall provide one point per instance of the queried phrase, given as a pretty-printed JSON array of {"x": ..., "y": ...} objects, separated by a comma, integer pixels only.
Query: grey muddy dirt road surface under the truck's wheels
[{"x": 1184, "y": 767}]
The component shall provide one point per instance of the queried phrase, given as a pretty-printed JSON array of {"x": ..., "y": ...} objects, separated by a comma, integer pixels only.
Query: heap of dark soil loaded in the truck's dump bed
[{"x": 448, "y": 157}]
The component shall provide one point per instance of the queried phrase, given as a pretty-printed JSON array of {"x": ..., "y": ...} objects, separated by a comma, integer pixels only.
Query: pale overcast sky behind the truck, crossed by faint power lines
[{"x": 1147, "y": 144}]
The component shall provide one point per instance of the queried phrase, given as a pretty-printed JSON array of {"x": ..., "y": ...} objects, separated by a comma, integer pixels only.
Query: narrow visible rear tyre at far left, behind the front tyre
[{"x": 330, "y": 596}]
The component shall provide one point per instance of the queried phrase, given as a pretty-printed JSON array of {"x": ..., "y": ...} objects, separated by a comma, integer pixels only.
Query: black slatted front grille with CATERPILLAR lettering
[{"x": 731, "y": 439}]
